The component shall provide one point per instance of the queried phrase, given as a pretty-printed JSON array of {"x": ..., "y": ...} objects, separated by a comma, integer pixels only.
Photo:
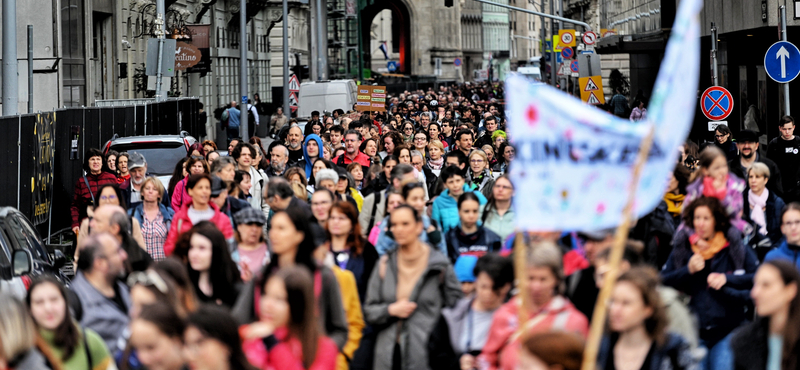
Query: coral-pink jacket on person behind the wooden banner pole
[{"x": 502, "y": 345}]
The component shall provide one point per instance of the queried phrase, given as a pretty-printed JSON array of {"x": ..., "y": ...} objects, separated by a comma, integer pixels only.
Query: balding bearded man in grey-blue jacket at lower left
[{"x": 103, "y": 300}]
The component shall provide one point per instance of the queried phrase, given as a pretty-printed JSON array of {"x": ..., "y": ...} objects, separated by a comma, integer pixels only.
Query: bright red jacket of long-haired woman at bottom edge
[{"x": 278, "y": 352}]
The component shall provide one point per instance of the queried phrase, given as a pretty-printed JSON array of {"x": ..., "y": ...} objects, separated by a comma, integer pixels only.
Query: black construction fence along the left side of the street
[{"x": 43, "y": 153}]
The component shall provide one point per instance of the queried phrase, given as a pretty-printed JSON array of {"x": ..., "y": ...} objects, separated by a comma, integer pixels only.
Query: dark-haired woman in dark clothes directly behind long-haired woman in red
[{"x": 293, "y": 245}]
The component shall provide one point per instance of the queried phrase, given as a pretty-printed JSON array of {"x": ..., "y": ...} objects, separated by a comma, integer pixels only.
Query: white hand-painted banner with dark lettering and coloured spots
[{"x": 574, "y": 162}]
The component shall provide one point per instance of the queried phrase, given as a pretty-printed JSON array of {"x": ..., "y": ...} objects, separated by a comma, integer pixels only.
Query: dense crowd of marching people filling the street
[{"x": 383, "y": 240}]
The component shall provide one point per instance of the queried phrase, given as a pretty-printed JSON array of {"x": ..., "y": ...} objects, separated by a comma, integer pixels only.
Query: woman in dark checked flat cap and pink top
[{"x": 251, "y": 244}]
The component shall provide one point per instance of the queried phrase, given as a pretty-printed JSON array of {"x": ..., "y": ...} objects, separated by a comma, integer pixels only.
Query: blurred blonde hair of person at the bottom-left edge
[{"x": 17, "y": 329}]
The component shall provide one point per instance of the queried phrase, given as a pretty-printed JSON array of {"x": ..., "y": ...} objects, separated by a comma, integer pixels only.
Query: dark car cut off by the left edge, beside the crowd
[{"x": 23, "y": 254}]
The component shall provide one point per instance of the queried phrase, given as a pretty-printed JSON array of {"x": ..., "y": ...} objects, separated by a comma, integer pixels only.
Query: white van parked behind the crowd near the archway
[{"x": 326, "y": 96}]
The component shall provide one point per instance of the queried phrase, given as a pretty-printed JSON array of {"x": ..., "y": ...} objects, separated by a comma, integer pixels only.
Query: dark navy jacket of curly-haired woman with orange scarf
[{"x": 719, "y": 311}]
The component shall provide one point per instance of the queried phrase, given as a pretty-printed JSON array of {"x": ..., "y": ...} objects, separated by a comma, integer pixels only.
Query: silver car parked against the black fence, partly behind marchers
[{"x": 161, "y": 152}]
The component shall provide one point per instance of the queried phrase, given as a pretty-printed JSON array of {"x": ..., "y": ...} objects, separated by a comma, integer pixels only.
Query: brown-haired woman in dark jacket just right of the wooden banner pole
[{"x": 637, "y": 322}]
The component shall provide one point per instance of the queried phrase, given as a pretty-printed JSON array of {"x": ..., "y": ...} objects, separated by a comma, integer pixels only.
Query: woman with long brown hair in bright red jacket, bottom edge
[{"x": 287, "y": 334}]
